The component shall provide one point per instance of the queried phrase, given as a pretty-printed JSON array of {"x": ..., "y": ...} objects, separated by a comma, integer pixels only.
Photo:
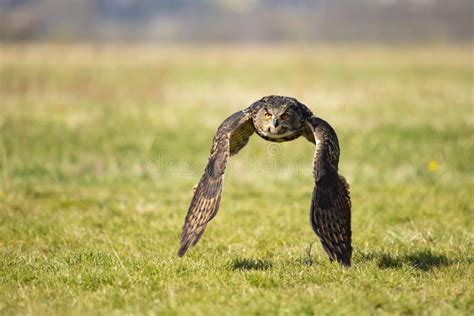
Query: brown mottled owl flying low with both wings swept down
[{"x": 278, "y": 119}]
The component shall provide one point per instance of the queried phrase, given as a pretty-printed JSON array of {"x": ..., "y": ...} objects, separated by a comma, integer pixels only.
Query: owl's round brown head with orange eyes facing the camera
[{"x": 278, "y": 118}]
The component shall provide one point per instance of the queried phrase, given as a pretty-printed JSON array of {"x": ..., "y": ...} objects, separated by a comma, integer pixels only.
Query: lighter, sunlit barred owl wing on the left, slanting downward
[{"x": 231, "y": 136}]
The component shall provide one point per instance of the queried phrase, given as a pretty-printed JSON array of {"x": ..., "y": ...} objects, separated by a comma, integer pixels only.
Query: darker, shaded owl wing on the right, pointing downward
[{"x": 330, "y": 205}]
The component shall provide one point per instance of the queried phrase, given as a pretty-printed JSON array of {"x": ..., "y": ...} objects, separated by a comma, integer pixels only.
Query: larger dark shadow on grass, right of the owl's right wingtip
[{"x": 424, "y": 260}]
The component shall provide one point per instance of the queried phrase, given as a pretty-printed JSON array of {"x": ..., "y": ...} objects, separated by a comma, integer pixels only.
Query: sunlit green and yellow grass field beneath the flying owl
[{"x": 100, "y": 149}]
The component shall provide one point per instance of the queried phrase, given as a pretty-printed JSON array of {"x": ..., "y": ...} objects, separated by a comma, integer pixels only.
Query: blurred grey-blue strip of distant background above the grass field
[{"x": 237, "y": 21}]
